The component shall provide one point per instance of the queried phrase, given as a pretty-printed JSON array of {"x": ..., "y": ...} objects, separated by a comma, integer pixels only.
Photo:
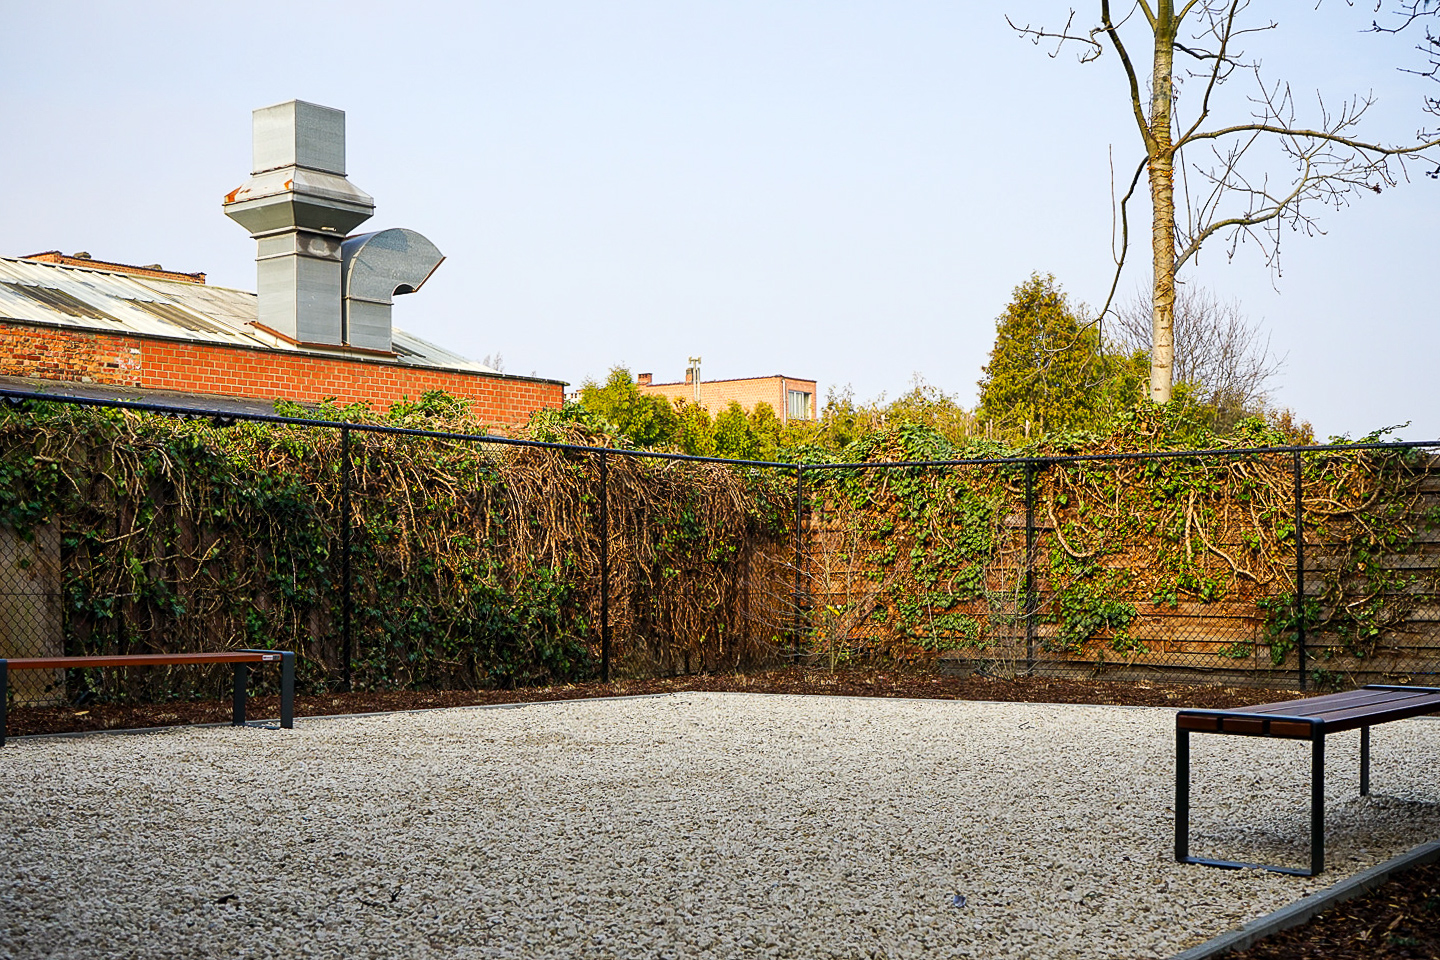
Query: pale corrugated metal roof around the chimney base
[{"x": 119, "y": 303}]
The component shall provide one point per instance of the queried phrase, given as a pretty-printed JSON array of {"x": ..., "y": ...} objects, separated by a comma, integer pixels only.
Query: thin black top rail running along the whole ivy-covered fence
[{"x": 228, "y": 418}]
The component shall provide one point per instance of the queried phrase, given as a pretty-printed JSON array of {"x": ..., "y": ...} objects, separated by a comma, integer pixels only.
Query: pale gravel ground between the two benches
[{"x": 690, "y": 825}]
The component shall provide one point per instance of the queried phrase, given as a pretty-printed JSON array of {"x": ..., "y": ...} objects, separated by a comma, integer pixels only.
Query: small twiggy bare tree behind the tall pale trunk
[{"x": 1218, "y": 349}]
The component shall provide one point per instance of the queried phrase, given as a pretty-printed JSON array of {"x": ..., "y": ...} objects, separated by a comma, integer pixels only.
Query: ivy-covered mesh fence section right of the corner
[{"x": 1313, "y": 568}]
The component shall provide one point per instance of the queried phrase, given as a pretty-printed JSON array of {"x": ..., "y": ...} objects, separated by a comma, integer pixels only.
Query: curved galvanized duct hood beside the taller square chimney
[{"x": 375, "y": 270}]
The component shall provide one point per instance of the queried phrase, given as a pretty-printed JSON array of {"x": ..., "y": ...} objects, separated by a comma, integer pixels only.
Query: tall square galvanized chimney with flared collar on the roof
[{"x": 299, "y": 207}]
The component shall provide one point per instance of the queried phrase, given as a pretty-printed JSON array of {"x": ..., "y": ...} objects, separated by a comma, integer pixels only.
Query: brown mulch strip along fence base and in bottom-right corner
[{"x": 1400, "y": 920}]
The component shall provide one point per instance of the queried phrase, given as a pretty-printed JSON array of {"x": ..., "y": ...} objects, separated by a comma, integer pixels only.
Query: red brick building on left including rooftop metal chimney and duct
[{"x": 320, "y": 326}]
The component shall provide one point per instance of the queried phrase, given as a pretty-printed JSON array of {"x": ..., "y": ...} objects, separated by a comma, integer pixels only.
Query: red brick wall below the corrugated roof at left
[{"x": 57, "y": 353}]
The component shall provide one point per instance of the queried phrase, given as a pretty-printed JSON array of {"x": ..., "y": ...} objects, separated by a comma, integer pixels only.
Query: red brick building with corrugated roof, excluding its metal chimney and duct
[{"x": 143, "y": 332}]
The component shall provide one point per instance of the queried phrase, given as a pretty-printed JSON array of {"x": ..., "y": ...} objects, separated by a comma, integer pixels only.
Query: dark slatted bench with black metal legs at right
[{"x": 1311, "y": 720}]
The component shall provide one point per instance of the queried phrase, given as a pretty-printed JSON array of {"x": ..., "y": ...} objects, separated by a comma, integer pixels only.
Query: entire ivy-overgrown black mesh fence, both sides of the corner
[{"x": 391, "y": 556}]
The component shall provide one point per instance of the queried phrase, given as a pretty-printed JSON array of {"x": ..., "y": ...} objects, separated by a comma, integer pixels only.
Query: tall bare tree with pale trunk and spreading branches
[{"x": 1230, "y": 181}]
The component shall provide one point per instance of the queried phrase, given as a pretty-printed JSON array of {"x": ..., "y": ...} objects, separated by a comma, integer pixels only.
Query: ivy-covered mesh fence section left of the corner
[{"x": 387, "y": 558}]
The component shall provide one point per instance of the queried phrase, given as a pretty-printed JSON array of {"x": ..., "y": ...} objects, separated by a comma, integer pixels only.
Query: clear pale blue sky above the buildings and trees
[{"x": 840, "y": 191}]
